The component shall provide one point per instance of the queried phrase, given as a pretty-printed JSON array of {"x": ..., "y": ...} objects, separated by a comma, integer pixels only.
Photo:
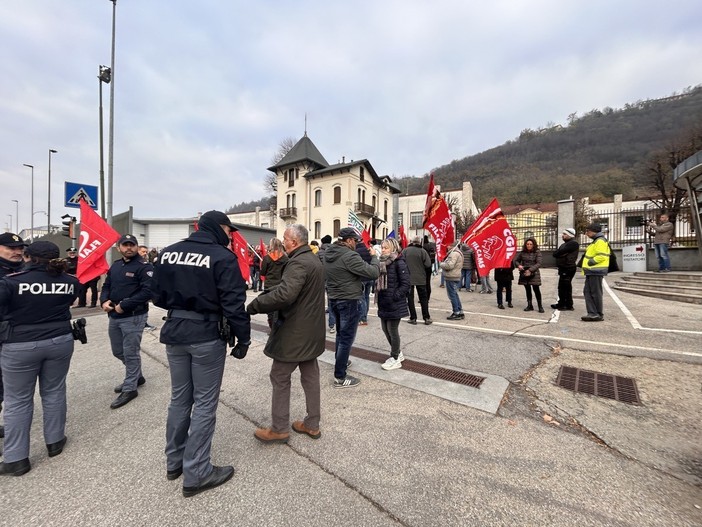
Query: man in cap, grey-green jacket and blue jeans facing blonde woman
[{"x": 346, "y": 271}]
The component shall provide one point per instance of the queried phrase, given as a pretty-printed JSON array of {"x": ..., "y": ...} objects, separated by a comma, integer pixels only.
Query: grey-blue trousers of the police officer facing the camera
[{"x": 125, "y": 339}]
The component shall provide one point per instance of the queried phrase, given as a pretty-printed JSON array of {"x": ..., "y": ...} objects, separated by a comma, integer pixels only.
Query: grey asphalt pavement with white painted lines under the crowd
[{"x": 401, "y": 448}]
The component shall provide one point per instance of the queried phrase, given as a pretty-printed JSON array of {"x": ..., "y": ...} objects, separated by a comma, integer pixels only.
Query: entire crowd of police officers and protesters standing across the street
[{"x": 304, "y": 288}]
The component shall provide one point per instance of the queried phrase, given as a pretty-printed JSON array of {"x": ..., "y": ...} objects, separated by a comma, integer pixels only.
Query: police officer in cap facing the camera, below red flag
[{"x": 125, "y": 298}]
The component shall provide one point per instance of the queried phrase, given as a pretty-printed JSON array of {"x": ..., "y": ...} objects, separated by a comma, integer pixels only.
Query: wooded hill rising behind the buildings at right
[{"x": 599, "y": 154}]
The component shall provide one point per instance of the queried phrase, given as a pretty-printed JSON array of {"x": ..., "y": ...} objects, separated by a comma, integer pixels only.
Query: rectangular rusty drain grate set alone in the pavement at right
[{"x": 621, "y": 389}]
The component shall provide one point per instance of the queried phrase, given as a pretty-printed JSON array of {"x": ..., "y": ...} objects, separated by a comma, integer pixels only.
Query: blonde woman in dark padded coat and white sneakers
[{"x": 391, "y": 295}]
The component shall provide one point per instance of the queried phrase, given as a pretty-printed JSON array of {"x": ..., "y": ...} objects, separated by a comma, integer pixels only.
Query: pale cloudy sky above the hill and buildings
[{"x": 206, "y": 90}]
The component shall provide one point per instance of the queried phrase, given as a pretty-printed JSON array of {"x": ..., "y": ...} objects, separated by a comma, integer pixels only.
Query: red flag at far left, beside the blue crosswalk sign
[{"x": 96, "y": 238}]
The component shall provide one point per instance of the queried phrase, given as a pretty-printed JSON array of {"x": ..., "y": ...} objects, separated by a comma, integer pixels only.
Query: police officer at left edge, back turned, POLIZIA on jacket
[{"x": 37, "y": 343}]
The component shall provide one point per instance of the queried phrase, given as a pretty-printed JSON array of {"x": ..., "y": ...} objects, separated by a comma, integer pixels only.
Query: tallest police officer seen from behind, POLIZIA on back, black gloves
[{"x": 198, "y": 281}]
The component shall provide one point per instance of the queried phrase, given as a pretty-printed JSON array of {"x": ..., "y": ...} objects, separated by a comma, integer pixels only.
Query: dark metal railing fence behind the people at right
[{"x": 622, "y": 228}]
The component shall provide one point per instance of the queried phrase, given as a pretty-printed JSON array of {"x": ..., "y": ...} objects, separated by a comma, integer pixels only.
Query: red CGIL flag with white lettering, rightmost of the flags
[{"x": 491, "y": 239}]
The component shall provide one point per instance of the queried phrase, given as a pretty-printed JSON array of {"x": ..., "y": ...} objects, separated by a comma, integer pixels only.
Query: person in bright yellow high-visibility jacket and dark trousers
[{"x": 595, "y": 267}]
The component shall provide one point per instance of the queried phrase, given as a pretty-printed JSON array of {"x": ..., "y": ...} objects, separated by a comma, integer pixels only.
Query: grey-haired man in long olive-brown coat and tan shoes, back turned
[{"x": 297, "y": 337}]
